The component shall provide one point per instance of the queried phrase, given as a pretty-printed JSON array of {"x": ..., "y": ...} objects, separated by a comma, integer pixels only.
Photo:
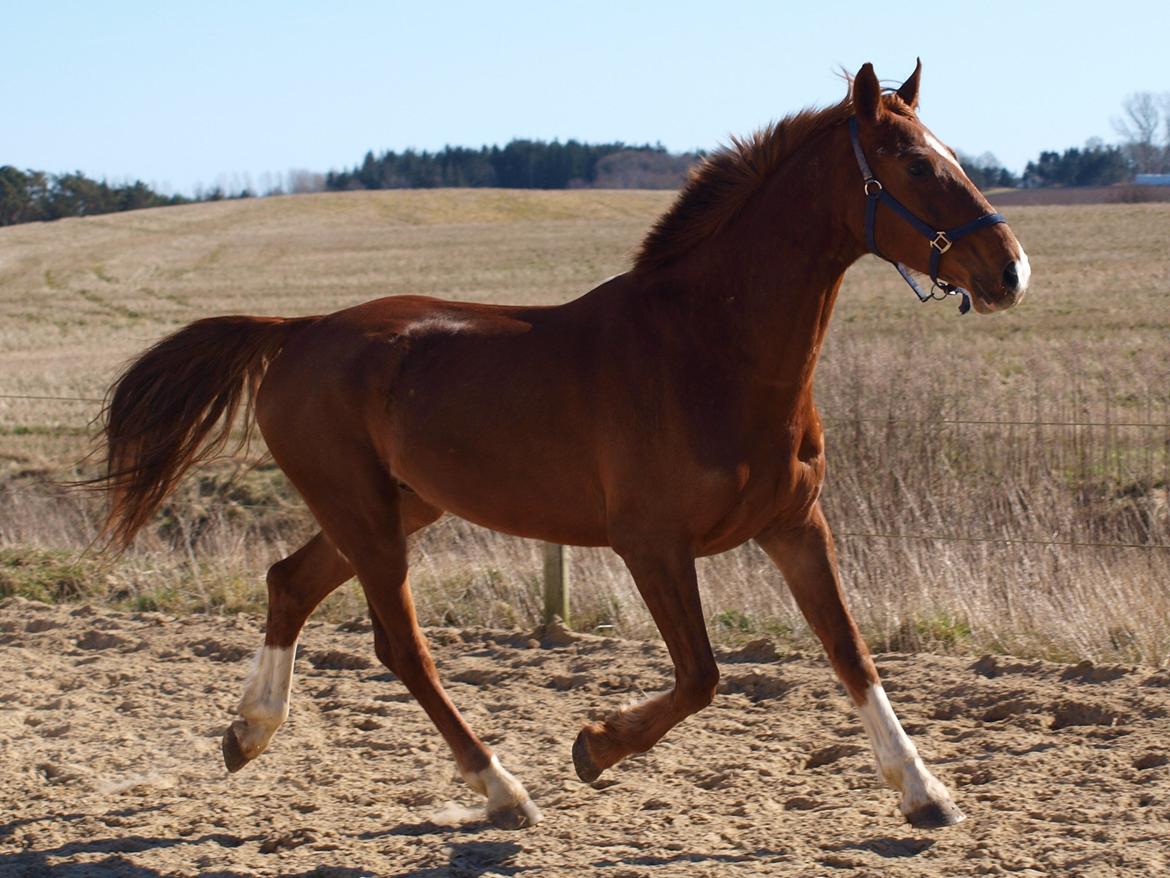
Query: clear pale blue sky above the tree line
[{"x": 187, "y": 94}]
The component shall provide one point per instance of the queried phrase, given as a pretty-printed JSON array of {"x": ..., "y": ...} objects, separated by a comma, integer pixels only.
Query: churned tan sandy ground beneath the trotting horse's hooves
[{"x": 111, "y": 725}]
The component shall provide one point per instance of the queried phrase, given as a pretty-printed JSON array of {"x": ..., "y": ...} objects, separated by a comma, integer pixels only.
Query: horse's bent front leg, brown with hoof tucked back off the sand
[{"x": 667, "y": 582}]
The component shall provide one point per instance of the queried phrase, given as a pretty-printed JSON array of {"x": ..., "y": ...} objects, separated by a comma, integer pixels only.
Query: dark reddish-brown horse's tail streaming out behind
[{"x": 175, "y": 407}]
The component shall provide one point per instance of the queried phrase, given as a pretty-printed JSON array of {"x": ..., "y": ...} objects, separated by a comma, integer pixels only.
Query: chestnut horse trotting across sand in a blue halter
[{"x": 667, "y": 414}]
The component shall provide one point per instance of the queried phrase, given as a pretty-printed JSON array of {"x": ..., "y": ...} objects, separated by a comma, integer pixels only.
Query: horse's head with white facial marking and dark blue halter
[{"x": 917, "y": 207}]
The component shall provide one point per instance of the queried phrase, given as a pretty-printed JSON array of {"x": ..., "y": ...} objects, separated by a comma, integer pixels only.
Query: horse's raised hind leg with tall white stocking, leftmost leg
[{"x": 295, "y": 587}]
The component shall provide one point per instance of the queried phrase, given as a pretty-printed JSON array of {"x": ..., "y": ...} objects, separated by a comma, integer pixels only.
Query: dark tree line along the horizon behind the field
[{"x": 29, "y": 196}]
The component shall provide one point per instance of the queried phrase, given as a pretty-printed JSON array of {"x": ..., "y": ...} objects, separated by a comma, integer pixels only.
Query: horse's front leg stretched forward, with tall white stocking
[{"x": 807, "y": 558}]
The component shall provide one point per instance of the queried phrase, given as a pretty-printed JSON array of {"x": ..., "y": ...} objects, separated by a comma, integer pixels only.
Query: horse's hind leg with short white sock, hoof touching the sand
[{"x": 362, "y": 510}]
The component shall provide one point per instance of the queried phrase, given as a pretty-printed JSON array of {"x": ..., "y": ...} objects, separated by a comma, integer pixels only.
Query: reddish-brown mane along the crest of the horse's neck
[{"x": 722, "y": 183}]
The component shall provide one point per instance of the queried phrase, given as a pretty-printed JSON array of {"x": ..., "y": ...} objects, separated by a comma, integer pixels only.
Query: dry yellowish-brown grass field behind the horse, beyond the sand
[{"x": 954, "y": 527}]
